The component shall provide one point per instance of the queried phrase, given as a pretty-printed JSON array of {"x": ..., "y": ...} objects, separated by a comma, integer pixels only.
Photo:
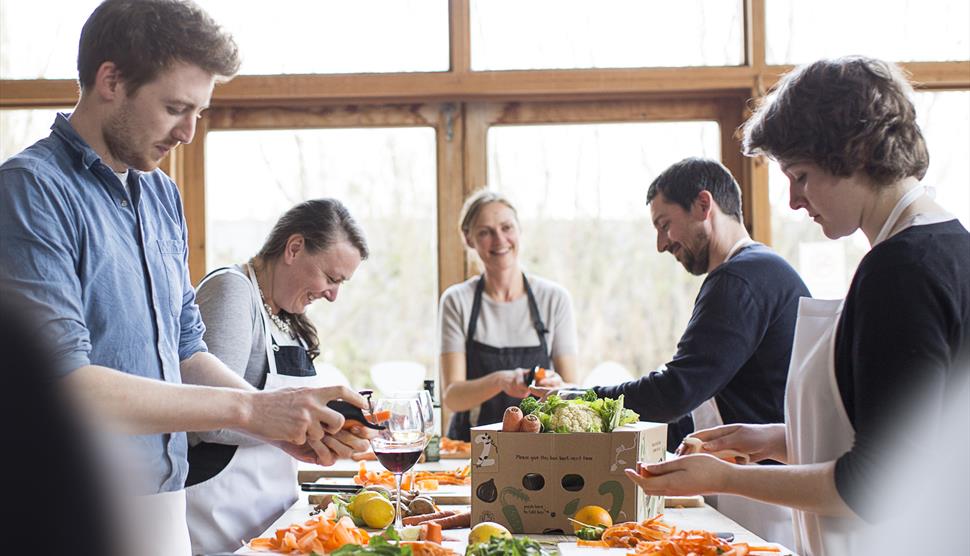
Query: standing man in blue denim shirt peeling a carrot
[{"x": 93, "y": 247}]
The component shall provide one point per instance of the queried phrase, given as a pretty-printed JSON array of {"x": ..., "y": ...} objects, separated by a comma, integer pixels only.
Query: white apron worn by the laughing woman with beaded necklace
[{"x": 255, "y": 488}]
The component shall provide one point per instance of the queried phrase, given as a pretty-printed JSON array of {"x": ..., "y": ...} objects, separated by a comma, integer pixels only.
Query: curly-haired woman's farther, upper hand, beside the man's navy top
[{"x": 760, "y": 442}]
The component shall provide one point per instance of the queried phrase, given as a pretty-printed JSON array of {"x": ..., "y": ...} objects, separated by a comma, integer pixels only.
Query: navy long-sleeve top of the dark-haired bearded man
[{"x": 736, "y": 347}]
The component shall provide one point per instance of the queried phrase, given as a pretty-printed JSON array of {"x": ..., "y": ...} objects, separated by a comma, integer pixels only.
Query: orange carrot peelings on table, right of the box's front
[{"x": 655, "y": 537}]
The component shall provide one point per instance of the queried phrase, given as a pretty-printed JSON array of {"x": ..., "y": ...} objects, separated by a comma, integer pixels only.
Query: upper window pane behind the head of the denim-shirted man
[{"x": 287, "y": 36}]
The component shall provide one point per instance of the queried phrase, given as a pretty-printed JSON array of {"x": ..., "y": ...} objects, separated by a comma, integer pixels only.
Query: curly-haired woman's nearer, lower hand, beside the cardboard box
[{"x": 685, "y": 476}]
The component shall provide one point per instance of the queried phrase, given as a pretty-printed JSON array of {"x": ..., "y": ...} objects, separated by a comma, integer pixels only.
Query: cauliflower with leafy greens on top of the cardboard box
[{"x": 590, "y": 413}]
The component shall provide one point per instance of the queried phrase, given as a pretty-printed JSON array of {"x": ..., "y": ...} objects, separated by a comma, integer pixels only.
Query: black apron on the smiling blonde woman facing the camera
[{"x": 482, "y": 359}]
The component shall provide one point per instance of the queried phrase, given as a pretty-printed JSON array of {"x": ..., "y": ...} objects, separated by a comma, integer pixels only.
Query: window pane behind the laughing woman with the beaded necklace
[{"x": 386, "y": 178}]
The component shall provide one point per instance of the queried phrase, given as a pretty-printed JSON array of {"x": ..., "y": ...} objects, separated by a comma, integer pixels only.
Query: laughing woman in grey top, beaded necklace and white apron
[{"x": 254, "y": 322}]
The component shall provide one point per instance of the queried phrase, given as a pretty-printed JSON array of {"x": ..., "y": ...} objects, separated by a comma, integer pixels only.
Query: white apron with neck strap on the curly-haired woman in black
[{"x": 817, "y": 427}]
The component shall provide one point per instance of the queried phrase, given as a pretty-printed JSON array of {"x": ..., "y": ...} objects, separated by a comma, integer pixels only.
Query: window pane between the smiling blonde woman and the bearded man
[{"x": 581, "y": 192}]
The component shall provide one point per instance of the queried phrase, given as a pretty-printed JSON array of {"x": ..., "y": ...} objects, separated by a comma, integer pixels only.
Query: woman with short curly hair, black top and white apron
[{"x": 845, "y": 134}]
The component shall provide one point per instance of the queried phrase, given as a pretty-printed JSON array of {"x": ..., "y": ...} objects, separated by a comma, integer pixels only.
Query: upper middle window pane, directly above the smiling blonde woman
[{"x": 610, "y": 34}]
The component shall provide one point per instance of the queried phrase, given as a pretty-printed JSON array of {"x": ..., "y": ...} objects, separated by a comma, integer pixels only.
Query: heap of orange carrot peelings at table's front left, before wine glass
[{"x": 318, "y": 534}]
